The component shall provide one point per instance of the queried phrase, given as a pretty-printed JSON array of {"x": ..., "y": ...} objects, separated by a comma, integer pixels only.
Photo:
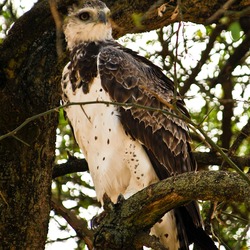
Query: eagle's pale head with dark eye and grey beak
[{"x": 87, "y": 22}]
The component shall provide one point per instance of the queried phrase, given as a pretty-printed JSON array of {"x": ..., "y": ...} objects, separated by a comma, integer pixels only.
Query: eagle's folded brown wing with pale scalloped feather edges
[{"x": 130, "y": 78}]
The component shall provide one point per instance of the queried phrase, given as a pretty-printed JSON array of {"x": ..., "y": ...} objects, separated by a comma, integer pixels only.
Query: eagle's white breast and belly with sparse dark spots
[{"x": 118, "y": 164}]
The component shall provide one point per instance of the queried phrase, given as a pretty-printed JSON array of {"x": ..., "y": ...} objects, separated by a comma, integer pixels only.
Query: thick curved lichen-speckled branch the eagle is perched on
[{"x": 146, "y": 207}]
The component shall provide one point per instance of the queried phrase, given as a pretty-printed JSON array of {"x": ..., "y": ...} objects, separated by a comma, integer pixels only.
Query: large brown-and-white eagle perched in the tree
[{"x": 127, "y": 147}]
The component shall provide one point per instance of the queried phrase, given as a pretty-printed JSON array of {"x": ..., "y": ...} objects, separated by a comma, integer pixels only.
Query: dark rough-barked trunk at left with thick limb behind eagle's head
[{"x": 29, "y": 83}]
